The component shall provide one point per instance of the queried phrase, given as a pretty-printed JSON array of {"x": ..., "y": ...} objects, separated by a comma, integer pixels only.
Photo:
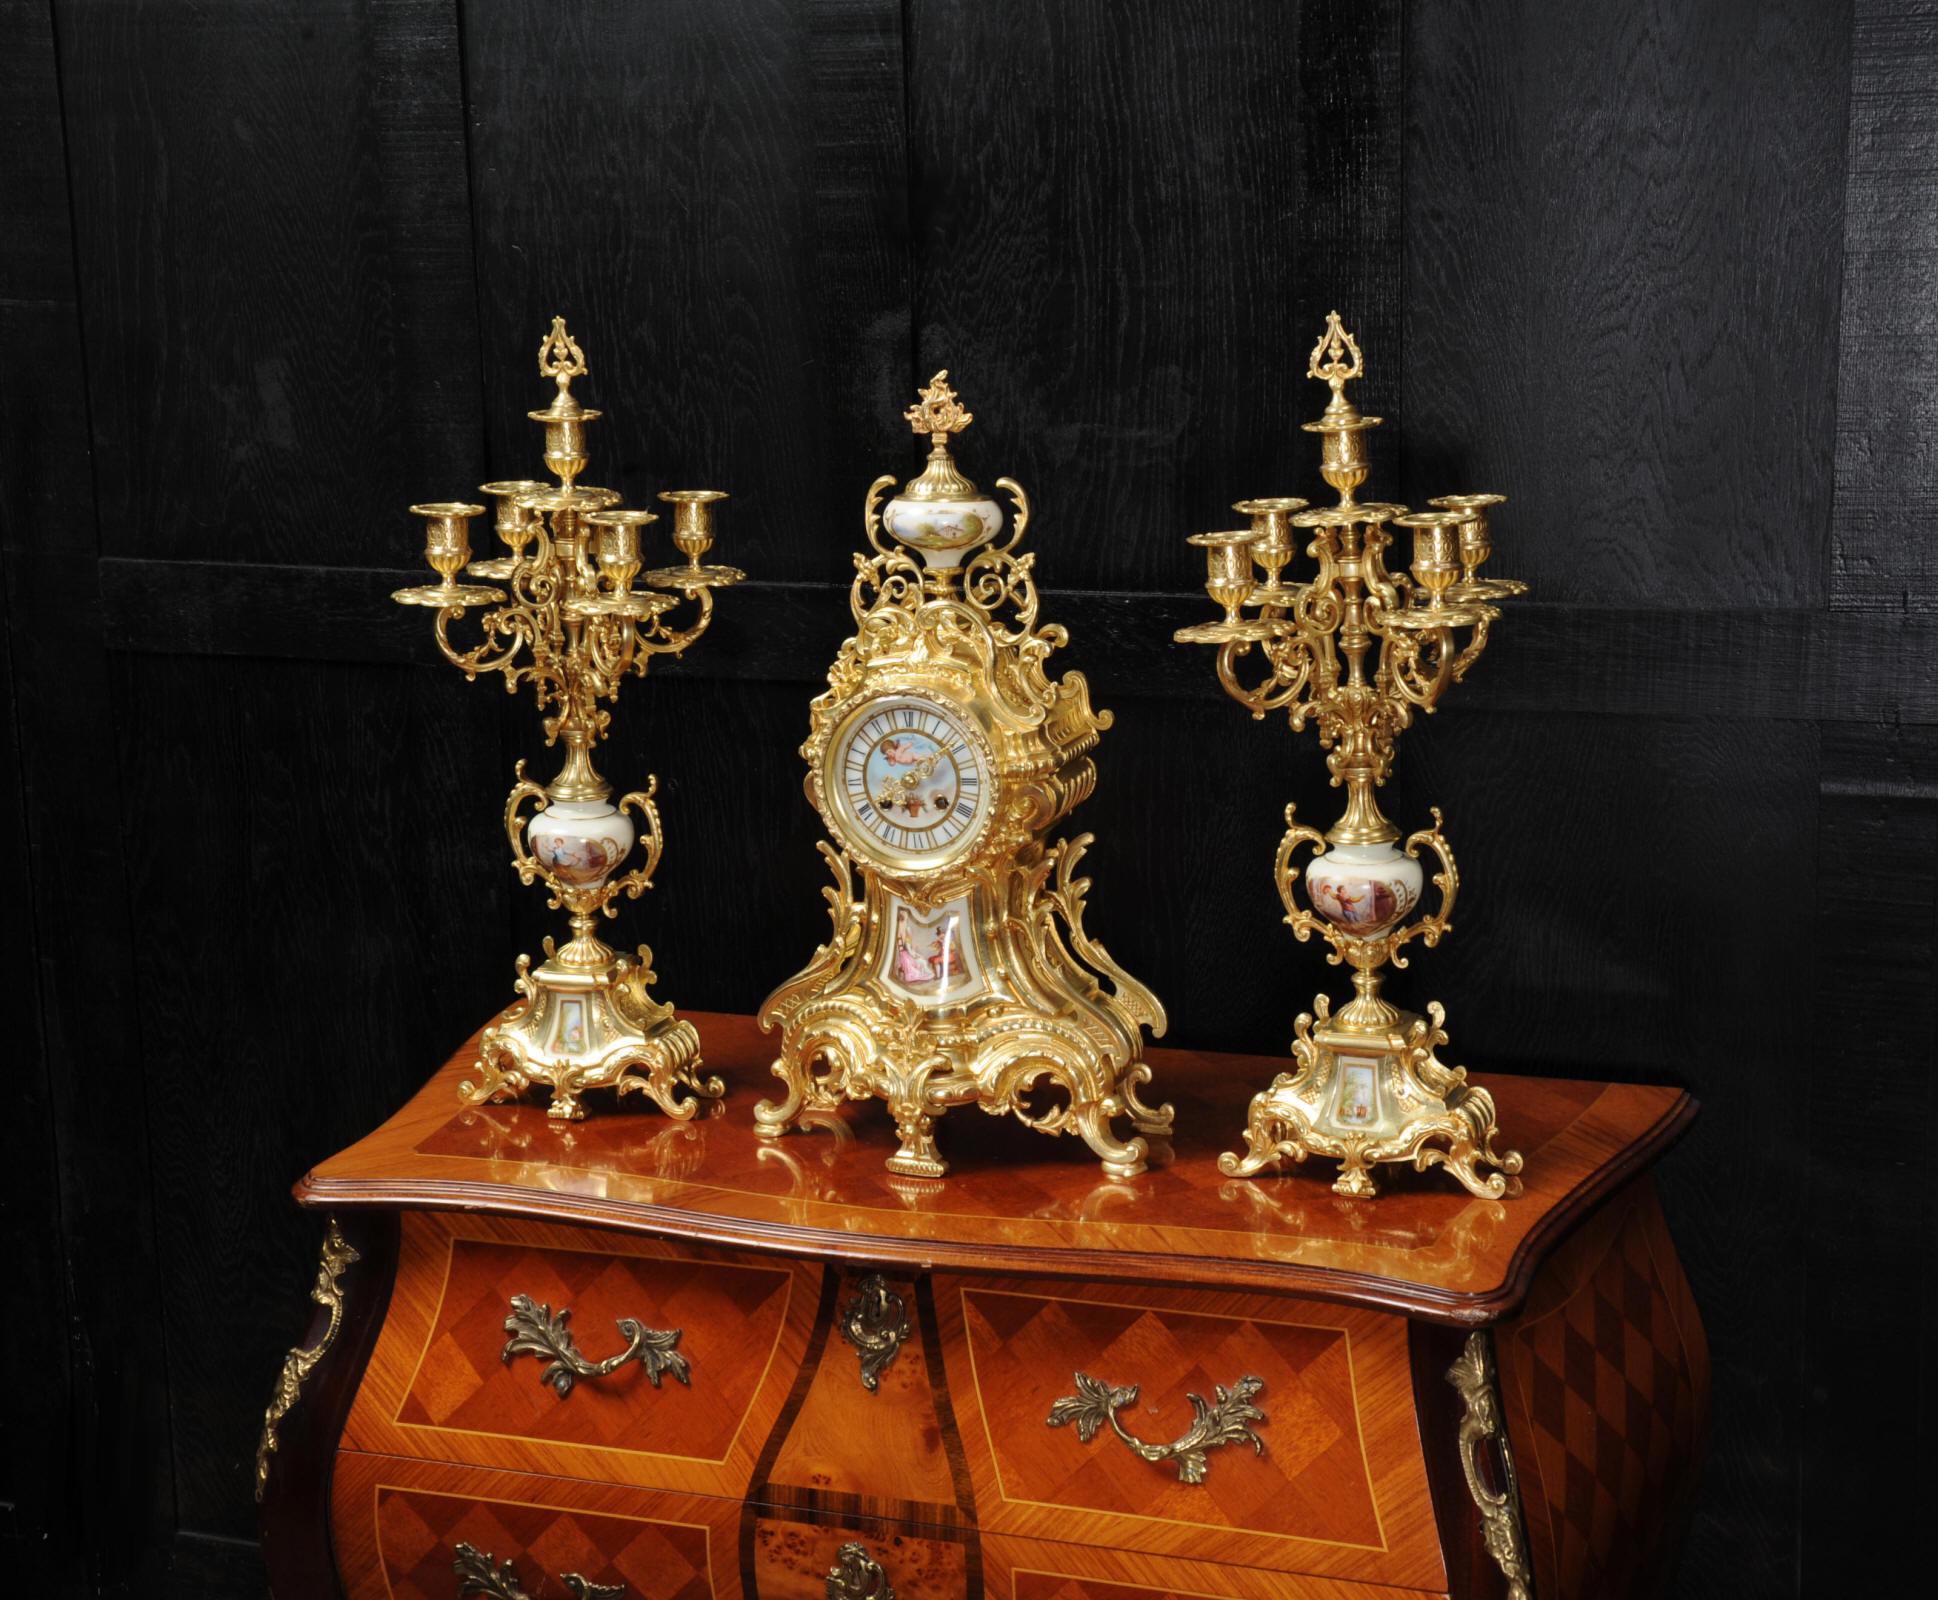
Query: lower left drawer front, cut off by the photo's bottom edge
[{"x": 404, "y": 1525}]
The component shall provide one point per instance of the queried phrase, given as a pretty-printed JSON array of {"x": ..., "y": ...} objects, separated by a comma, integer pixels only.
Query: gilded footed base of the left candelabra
[{"x": 592, "y": 1028}]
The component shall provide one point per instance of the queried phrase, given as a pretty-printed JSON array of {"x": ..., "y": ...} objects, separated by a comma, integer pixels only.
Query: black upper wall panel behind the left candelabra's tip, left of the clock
[{"x": 737, "y": 334}]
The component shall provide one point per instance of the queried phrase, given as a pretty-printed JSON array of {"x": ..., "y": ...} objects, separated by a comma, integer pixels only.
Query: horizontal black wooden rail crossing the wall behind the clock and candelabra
[{"x": 1735, "y": 665}]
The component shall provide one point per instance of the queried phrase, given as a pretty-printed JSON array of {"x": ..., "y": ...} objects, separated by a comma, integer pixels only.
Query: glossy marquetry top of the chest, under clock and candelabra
[{"x": 1020, "y": 1202}]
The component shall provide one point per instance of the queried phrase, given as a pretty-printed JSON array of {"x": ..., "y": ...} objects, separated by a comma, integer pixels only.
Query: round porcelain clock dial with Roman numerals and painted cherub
[{"x": 908, "y": 782}]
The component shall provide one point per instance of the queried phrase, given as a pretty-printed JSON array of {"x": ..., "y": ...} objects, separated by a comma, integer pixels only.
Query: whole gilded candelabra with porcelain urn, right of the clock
[{"x": 1356, "y": 652}]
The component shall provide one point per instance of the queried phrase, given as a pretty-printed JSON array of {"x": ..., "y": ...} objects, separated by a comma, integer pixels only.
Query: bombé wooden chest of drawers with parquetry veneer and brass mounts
[{"x": 670, "y": 1361}]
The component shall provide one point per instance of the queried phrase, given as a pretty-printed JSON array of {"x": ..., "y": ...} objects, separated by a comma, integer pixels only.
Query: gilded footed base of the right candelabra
[{"x": 1371, "y": 1095}]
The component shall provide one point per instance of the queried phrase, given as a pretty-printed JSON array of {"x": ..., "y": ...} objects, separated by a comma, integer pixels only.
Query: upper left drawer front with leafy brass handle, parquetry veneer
[{"x": 441, "y": 1384}]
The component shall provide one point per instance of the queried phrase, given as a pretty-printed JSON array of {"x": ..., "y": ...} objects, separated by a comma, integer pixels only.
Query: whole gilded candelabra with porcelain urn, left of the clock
[{"x": 573, "y": 625}]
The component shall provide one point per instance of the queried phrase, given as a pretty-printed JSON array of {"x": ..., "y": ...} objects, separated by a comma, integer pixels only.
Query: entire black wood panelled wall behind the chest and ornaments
[{"x": 272, "y": 270}]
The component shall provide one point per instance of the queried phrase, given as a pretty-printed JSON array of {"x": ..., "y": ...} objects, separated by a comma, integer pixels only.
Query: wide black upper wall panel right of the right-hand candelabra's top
[{"x": 1623, "y": 270}]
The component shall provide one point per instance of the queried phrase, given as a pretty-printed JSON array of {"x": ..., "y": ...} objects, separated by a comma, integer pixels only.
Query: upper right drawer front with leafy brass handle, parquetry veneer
[{"x": 1338, "y": 1487}]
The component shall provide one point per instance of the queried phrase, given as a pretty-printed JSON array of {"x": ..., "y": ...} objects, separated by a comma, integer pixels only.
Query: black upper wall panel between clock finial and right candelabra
[{"x": 1108, "y": 220}]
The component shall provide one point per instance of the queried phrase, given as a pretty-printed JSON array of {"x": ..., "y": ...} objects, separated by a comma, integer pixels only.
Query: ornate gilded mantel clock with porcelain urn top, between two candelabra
[{"x": 941, "y": 758}]
